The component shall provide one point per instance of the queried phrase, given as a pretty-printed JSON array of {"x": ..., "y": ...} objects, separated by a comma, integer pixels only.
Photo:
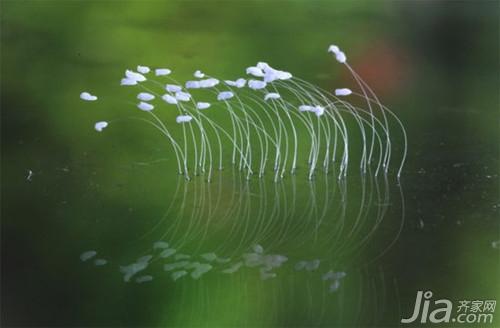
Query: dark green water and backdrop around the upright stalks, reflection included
[{"x": 295, "y": 252}]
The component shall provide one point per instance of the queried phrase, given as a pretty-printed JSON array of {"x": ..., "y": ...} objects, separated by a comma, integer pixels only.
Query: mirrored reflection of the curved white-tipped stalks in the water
[{"x": 265, "y": 226}]
